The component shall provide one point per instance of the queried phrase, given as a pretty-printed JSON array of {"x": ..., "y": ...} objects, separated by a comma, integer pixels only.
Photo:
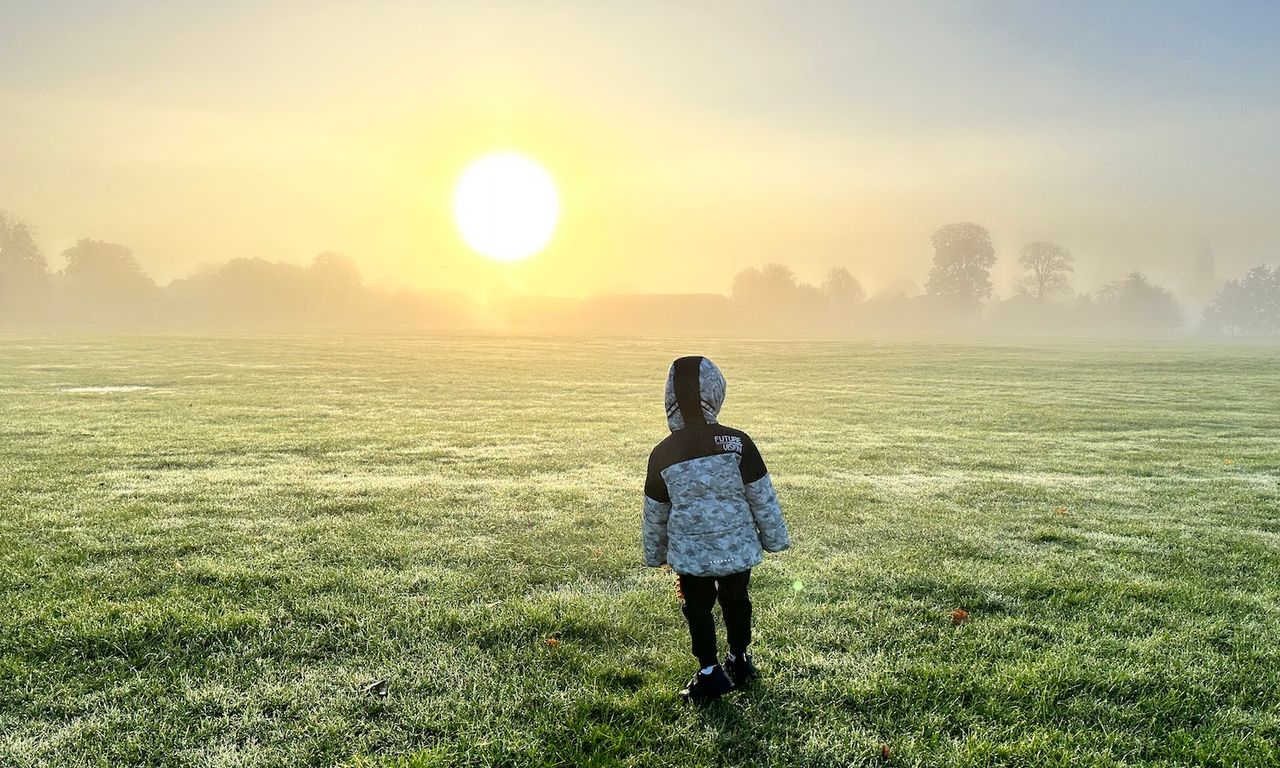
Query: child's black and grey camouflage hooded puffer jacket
[{"x": 710, "y": 506}]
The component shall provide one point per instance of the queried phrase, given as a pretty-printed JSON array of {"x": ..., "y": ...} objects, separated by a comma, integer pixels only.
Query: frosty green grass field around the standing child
[{"x": 204, "y": 568}]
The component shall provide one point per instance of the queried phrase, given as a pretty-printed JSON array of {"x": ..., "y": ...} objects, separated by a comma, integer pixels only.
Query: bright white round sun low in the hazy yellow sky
[{"x": 506, "y": 207}]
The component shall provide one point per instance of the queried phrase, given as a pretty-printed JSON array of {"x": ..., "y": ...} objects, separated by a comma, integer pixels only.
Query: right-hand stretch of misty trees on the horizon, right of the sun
[{"x": 1044, "y": 301}]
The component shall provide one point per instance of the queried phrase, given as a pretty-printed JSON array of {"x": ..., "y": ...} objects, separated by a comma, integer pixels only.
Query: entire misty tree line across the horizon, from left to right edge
[{"x": 102, "y": 285}]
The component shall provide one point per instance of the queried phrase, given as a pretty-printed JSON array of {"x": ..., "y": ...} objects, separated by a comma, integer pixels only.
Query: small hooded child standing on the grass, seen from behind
[{"x": 710, "y": 511}]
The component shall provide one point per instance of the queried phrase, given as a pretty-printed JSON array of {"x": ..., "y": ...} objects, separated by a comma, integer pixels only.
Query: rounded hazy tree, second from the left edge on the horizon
[{"x": 103, "y": 282}]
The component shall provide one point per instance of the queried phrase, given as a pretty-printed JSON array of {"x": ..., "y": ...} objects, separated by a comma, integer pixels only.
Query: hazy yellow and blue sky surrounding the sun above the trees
[{"x": 688, "y": 141}]
